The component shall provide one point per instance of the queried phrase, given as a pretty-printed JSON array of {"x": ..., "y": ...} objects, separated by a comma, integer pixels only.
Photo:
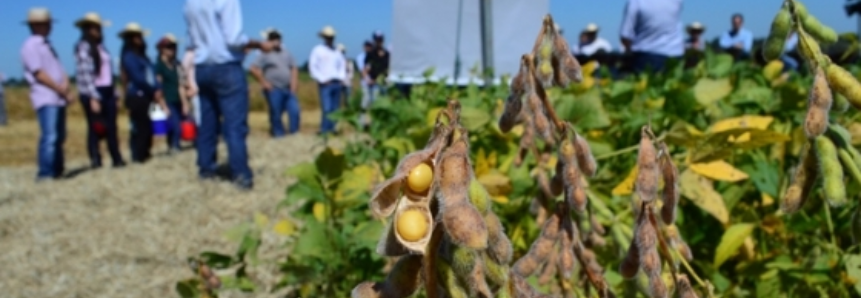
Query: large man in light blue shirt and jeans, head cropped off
[{"x": 215, "y": 32}]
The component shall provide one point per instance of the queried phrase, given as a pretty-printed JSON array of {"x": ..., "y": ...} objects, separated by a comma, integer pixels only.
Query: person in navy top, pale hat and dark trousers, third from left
[{"x": 141, "y": 89}]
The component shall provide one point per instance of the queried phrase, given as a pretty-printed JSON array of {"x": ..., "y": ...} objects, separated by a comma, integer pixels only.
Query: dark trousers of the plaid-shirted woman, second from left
[{"x": 107, "y": 117}]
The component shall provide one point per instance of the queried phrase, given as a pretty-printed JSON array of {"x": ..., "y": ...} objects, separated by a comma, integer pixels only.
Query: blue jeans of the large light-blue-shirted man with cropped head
[{"x": 223, "y": 92}]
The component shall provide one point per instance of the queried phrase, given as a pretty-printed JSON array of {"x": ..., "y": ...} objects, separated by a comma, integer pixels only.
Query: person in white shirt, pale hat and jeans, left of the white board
[{"x": 328, "y": 67}]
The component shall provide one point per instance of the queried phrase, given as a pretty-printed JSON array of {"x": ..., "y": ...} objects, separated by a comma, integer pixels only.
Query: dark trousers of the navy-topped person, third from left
[{"x": 141, "y": 135}]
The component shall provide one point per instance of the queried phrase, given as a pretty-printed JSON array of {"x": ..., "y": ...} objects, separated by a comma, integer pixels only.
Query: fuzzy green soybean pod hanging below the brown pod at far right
[{"x": 832, "y": 171}]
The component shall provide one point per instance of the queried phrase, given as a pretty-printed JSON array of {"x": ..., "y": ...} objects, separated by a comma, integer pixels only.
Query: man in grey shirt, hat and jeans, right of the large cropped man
[{"x": 277, "y": 72}]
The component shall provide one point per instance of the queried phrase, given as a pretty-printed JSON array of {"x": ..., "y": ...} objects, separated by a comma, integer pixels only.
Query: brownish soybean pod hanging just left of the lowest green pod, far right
[{"x": 803, "y": 180}]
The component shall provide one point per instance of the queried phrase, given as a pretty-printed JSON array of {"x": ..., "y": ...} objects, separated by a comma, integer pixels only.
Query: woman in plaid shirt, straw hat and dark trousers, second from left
[{"x": 94, "y": 79}]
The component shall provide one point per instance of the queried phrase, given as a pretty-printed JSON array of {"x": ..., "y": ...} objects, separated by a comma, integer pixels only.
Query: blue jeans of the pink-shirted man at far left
[{"x": 52, "y": 122}]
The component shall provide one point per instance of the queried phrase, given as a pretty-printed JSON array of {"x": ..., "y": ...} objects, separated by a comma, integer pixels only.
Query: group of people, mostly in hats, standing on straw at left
[{"x": 209, "y": 86}]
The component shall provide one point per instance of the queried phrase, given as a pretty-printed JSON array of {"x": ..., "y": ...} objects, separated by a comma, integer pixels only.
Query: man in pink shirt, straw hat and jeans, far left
[{"x": 49, "y": 92}]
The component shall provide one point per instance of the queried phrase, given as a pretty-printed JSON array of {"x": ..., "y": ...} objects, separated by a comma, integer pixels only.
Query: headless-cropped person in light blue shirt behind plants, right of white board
[{"x": 652, "y": 32}]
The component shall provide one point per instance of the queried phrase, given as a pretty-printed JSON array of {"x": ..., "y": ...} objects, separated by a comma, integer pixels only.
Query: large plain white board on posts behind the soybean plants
[{"x": 424, "y": 36}]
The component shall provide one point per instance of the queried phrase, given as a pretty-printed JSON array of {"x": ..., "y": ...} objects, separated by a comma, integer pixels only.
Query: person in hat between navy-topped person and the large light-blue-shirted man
[{"x": 169, "y": 74}]
